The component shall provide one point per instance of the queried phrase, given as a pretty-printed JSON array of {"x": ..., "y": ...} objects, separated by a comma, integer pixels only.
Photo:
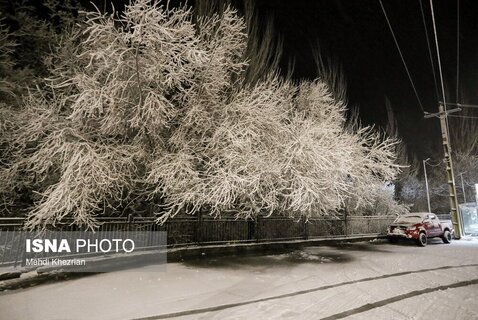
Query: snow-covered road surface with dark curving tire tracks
[{"x": 354, "y": 281}]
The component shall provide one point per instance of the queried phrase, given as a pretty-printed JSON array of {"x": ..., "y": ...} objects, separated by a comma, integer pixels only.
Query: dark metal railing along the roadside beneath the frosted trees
[{"x": 206, "y": 230}]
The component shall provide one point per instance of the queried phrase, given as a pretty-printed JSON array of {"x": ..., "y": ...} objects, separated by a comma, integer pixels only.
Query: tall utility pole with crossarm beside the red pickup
[{"x": 442, "y": 115}]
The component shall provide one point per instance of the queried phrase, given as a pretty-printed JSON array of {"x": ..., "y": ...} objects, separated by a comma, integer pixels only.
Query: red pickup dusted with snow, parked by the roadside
[{"x": 419, "y": 226}]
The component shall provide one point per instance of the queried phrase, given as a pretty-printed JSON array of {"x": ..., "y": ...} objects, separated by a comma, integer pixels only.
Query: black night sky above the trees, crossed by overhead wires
[{"x": 355, "y": 33}]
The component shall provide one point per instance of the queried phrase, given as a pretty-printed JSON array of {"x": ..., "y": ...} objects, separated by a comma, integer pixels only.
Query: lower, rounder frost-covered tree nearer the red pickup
[{"x": 276, "y": 148}]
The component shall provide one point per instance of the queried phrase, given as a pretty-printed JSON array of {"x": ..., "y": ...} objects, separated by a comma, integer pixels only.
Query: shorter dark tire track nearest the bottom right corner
[{"x": 381, "y": 303}]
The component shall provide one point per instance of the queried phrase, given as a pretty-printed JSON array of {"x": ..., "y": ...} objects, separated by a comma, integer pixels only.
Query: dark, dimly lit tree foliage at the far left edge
[{"x": 29, "y": 31}]
